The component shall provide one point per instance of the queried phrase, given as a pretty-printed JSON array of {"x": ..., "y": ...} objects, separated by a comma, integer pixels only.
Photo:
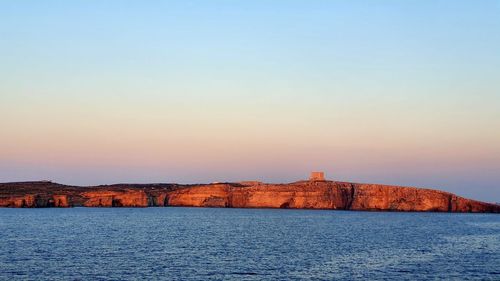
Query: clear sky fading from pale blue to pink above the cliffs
[{"x": 392, "y": 92}]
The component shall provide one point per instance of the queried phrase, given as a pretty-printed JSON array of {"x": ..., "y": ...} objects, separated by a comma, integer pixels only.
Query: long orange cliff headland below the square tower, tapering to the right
[{"x": 326, "y": 195}]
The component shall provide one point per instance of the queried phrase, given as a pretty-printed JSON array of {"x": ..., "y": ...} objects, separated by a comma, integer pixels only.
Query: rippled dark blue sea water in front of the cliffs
[{"x": 246, "y": 244}]
